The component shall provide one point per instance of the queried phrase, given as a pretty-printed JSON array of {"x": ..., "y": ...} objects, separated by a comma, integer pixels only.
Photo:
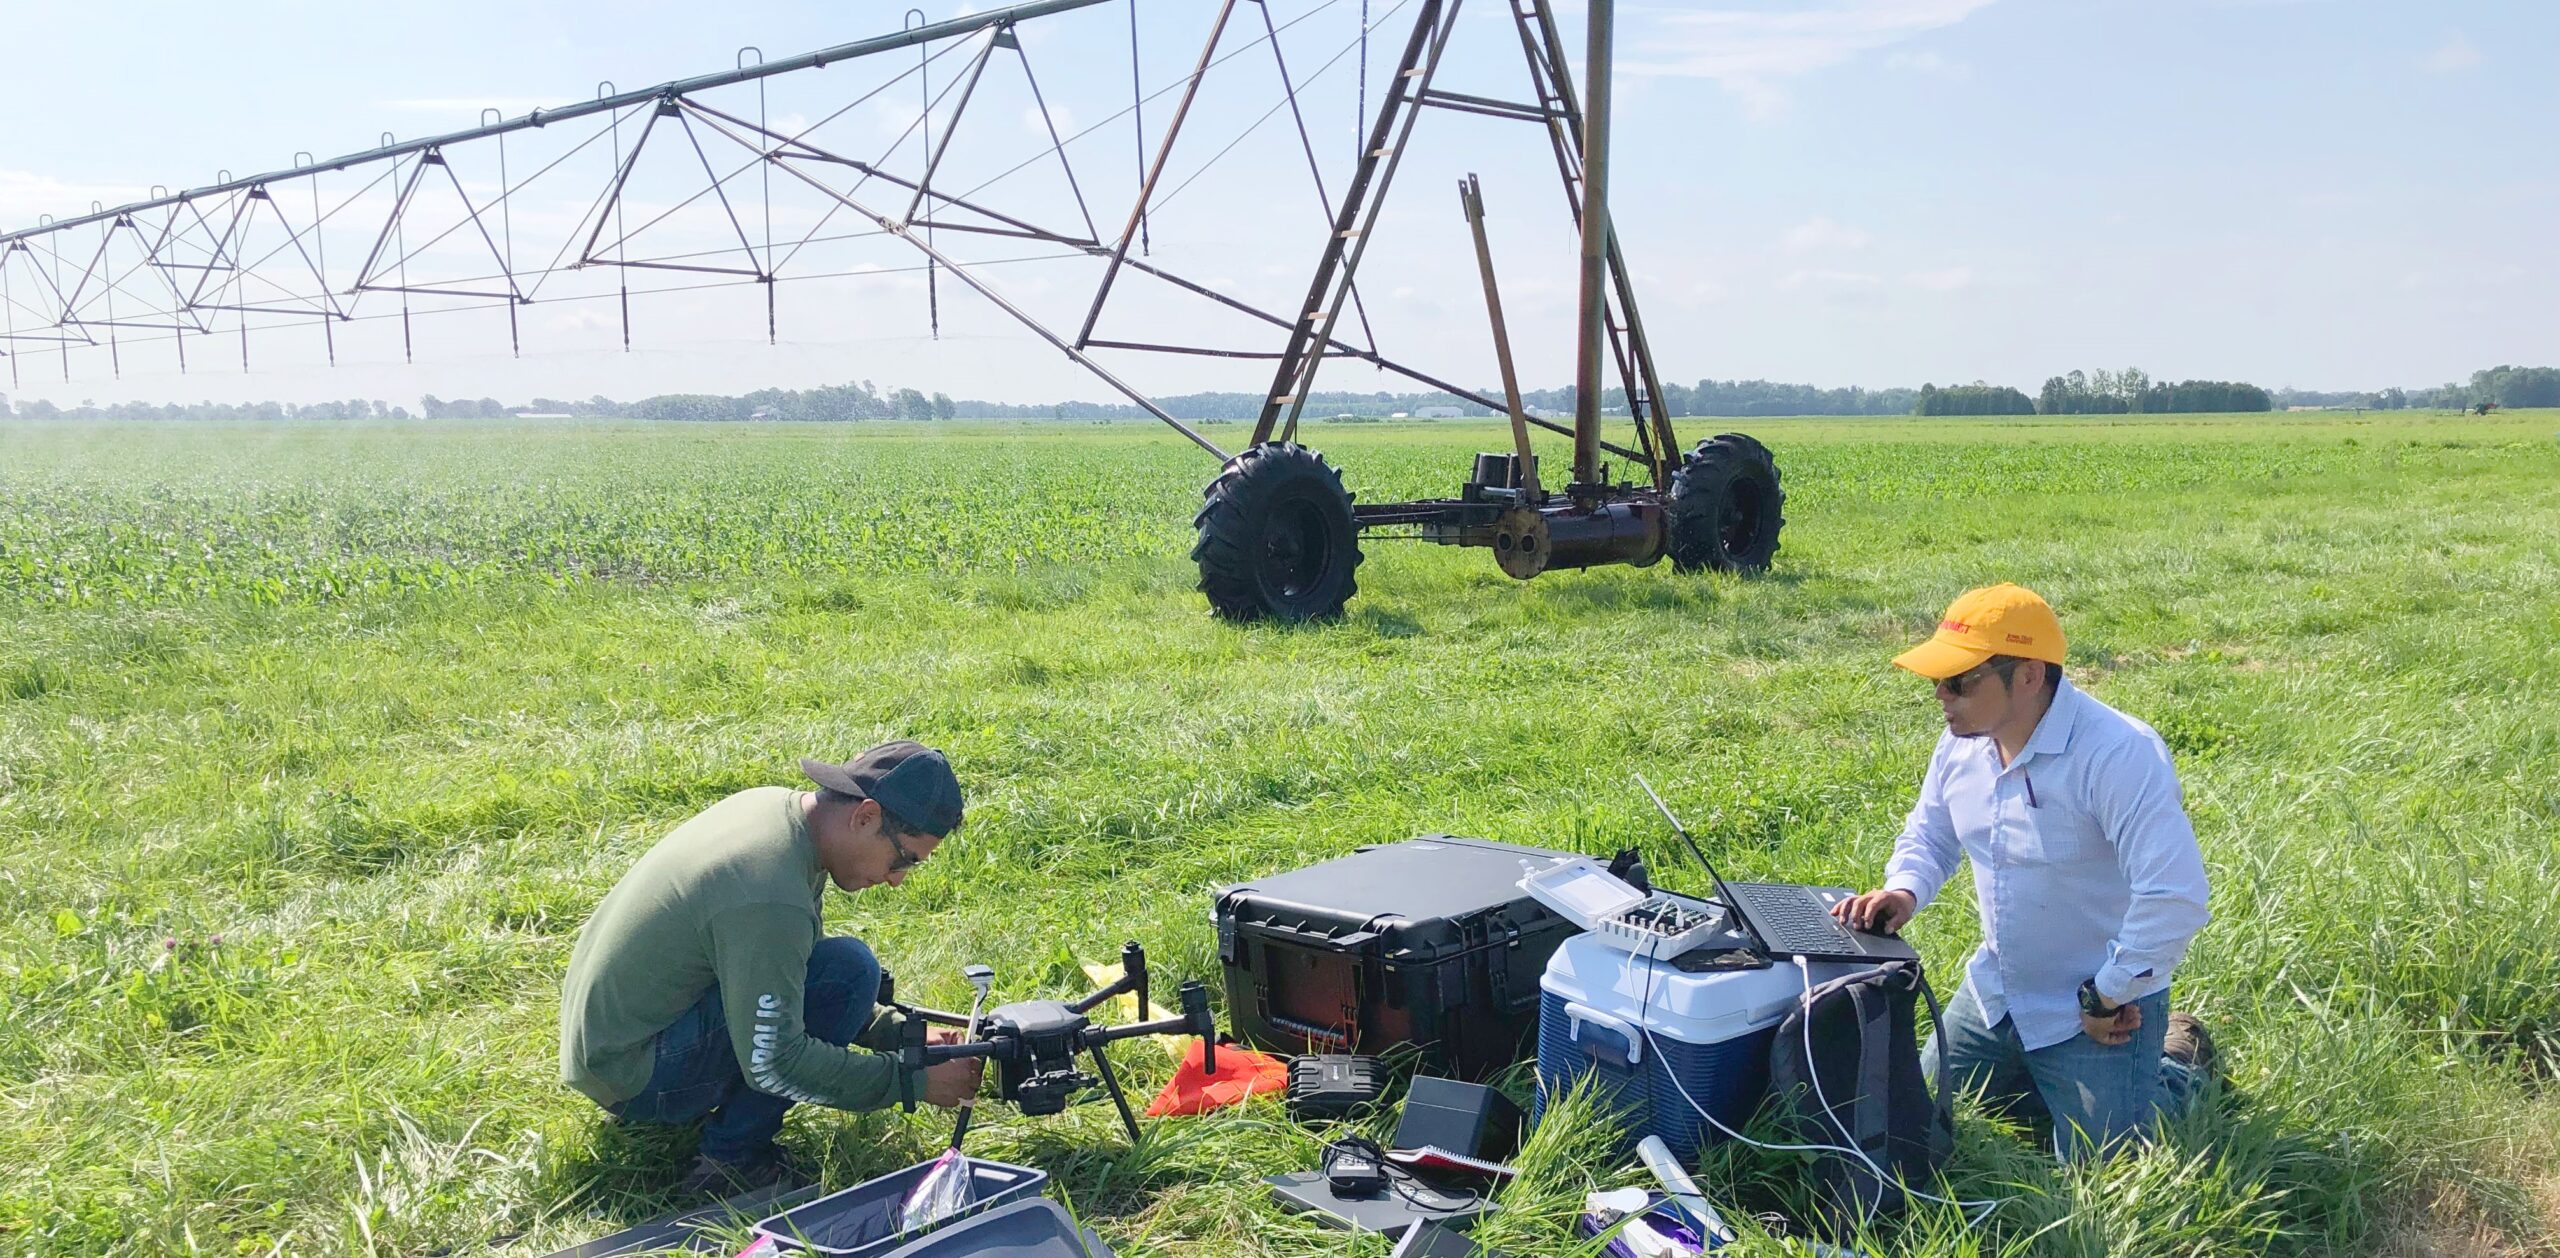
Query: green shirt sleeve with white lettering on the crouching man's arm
[{"x": 762, "y": 960}]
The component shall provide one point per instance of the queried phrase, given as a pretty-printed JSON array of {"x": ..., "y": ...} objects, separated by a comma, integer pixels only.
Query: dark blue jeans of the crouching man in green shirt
[{"x": 698, "y": 1070}]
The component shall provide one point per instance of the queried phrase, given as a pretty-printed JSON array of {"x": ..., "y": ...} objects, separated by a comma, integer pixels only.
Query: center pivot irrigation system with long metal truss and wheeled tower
[{"x": 1279, "y": 534}]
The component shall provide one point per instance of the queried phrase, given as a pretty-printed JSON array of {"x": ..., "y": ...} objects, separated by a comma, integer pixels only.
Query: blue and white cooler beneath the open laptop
[{"x": 1660, "y": 1039}]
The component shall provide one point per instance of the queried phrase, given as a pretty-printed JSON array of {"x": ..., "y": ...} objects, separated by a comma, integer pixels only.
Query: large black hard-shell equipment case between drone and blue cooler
[{"x": 1422, "y": 944}]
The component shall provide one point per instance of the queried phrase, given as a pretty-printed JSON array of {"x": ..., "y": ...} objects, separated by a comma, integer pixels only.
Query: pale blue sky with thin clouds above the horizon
[{"x": 2298, "y": 193}]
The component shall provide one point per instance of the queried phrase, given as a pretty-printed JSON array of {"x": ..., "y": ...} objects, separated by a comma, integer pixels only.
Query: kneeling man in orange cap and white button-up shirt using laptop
[{"x": 2085, "y": 870}]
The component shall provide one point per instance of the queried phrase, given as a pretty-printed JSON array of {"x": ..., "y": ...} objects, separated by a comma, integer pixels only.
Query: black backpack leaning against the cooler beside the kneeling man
[{"x": 1865, "y": 1054}]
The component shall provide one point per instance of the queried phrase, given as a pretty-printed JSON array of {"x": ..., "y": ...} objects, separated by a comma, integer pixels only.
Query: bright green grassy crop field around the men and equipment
[{"x": 316, "y": 747}]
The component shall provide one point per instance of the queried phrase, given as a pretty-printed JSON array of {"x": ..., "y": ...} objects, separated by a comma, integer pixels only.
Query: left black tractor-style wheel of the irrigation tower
[{"x": 1276, "y": 537}]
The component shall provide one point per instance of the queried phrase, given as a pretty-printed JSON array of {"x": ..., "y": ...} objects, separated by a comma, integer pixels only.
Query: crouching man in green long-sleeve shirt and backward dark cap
[{"x": 705, "y": 990}]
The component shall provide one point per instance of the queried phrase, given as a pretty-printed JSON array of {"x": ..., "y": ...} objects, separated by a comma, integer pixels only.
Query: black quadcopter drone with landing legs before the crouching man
[{"x": 1036, "y": 1044}]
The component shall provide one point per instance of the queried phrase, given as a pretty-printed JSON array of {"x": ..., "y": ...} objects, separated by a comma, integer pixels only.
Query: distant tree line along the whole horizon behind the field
[{"x": 2075, "y": 393}]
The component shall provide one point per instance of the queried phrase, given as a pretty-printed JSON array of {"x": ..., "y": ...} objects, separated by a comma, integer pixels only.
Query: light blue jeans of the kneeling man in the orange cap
[{"x": 2095, "y": 1095}]
